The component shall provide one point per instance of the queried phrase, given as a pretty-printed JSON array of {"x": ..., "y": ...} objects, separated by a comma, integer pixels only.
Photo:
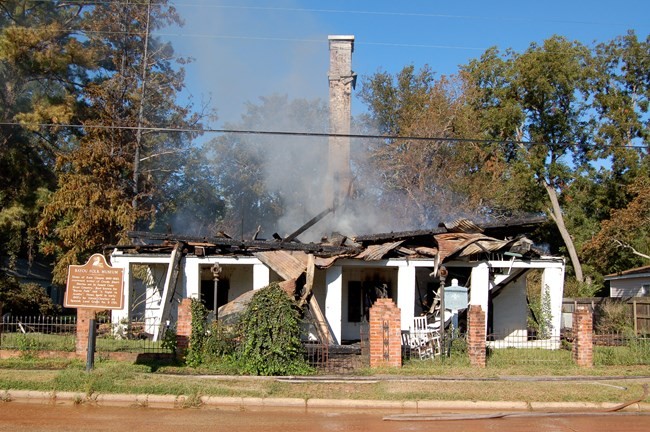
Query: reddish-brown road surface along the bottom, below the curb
[{"x": 18, "y": 417}]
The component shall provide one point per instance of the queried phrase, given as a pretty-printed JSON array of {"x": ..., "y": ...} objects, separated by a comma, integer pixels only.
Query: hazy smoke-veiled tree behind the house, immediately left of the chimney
[{"x": 271, "y": 181}]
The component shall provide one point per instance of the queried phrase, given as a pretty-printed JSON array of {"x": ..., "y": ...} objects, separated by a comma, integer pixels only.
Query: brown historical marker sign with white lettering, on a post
[{"x": 95, "y": 285}]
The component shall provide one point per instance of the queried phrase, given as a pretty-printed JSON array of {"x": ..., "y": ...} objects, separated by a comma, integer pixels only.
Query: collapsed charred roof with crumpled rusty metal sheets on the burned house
[{"x": 460, "y": 240}]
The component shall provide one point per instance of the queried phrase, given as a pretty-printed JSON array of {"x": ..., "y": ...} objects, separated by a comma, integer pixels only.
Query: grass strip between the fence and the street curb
[{"x": 417, "y": 380}]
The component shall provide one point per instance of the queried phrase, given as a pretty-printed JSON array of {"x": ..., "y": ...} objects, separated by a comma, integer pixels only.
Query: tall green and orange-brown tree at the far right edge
[{"x": 621, "y": 90}]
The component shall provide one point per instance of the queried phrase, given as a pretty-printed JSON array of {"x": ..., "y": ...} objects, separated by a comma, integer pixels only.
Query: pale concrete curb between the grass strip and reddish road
[{"x": 179, "y": 402}]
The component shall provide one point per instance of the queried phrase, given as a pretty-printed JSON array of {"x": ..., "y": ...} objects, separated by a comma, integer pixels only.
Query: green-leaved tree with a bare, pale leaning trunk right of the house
[{"x": 536, "y": 102}]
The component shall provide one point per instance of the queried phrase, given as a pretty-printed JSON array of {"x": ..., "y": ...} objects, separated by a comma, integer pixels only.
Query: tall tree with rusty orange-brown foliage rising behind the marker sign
[{"x": 112, "y": 177}]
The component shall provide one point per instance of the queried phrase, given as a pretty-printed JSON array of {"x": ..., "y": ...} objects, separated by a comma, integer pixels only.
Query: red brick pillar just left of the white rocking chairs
[{"x": 385, "y": 334}]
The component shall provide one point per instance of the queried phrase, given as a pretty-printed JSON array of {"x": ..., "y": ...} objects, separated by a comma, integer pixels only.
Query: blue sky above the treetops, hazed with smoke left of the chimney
[{"x": 245, "y": 49}]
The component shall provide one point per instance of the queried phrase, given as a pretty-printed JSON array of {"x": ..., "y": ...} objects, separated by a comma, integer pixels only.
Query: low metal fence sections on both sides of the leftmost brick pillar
[{"x": 47, "y": 333}]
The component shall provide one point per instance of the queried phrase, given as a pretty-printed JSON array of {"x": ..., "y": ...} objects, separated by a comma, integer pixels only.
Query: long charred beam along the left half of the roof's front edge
[{"x": 247, "y": 245}]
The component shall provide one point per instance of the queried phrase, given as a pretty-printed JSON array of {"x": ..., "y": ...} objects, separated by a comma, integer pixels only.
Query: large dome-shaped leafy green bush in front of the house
[{"x": 270, "y": 335}]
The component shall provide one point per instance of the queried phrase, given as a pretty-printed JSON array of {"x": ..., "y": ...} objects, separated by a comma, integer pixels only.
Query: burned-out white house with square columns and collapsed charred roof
[{"x": 348, "y": 274}]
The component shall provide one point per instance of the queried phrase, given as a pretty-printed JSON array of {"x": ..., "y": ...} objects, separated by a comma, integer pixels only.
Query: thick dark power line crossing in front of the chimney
[{"x": 310, "y": 134}]
